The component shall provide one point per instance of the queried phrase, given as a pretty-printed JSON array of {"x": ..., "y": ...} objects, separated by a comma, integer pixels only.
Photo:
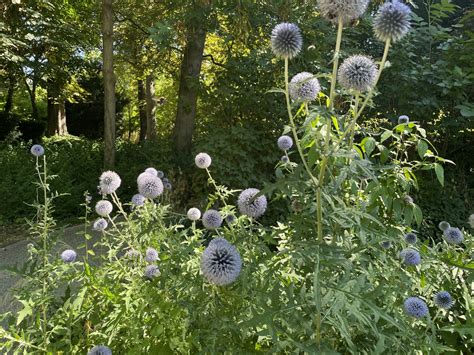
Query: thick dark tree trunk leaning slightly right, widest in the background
[{"x": 188, "y": 87}]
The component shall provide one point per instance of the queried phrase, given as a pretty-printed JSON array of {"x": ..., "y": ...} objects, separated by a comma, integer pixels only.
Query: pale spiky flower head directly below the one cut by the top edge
[{"x": 357, "y": 72}]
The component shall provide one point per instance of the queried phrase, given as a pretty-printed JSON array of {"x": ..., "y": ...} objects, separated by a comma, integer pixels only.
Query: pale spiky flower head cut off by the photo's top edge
[{"x": 348, "y": 10}]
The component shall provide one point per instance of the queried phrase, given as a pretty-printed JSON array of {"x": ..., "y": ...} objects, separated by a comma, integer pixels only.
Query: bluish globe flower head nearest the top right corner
[{"x": 392, "y": 21}]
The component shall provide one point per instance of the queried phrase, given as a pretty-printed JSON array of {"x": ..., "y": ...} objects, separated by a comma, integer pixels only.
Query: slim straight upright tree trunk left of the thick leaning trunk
[{"x": 109, "y": 84}]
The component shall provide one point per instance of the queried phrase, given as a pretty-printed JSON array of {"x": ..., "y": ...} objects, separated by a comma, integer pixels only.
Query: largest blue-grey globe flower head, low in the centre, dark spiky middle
[{"x": 220, "y": 262}]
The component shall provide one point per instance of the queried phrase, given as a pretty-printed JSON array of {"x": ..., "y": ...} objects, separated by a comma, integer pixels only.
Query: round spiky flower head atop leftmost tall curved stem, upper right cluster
[{"x": 286, "y": 40}]
